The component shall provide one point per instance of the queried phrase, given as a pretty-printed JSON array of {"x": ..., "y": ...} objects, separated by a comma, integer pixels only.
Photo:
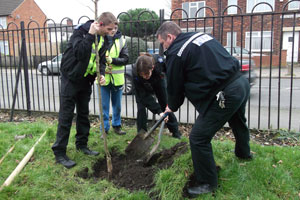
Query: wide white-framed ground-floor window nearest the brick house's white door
[{"x": 256, "y": 40}]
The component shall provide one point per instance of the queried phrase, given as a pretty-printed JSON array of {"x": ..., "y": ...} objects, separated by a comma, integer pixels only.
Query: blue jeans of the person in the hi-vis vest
[{"x": 115, "y": 94}]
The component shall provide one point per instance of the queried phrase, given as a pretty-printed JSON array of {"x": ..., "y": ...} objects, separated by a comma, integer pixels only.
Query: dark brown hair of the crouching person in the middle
[{"x": 144, "y": 63}]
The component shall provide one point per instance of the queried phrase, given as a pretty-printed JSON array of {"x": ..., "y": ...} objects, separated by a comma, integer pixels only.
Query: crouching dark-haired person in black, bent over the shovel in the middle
[{"x": 149, "y": 80}]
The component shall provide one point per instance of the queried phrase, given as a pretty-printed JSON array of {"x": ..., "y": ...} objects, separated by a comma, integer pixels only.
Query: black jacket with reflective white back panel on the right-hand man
[{"x": 198, "y": 68}]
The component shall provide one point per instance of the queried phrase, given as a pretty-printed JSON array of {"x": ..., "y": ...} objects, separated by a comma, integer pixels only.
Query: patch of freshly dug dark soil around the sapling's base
[{"x": 132, "y": 174}]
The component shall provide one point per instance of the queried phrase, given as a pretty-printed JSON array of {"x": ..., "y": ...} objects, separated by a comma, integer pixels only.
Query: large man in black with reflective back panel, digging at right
[{"x": 199, "y": 68}]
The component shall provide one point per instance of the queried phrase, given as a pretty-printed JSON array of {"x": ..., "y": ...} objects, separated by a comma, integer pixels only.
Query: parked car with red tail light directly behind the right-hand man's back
[{"x": 247, "y": 63}]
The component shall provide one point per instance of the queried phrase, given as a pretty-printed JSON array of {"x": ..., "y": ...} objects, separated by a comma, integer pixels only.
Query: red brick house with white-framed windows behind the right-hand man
[{"x": 237, "y": 22}]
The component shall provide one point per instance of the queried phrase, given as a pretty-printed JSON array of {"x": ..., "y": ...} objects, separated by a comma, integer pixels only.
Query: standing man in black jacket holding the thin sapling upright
[{"x": 78, "y": 72}]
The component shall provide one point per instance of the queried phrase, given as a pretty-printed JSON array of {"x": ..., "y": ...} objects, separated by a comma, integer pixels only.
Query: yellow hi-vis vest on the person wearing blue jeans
[{"x": 116, "y": 75}]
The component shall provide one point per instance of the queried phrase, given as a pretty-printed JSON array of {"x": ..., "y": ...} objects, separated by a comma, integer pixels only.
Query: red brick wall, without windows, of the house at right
[{"x": 236, "y": 23}]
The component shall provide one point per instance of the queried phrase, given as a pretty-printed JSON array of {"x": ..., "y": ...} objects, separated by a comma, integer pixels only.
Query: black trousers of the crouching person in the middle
[{"x": 161, "y": 95}]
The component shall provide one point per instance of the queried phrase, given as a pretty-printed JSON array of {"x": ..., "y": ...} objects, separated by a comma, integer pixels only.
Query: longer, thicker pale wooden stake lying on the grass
[{"x": 21, "y": 165}]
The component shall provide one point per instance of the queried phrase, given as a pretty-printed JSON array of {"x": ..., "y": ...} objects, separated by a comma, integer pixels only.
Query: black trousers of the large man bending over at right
[{"x": 236, "y": 95}]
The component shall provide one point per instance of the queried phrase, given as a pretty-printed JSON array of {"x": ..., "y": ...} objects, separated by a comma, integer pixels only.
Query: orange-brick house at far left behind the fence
[{"x": 12, "y": 12}]
